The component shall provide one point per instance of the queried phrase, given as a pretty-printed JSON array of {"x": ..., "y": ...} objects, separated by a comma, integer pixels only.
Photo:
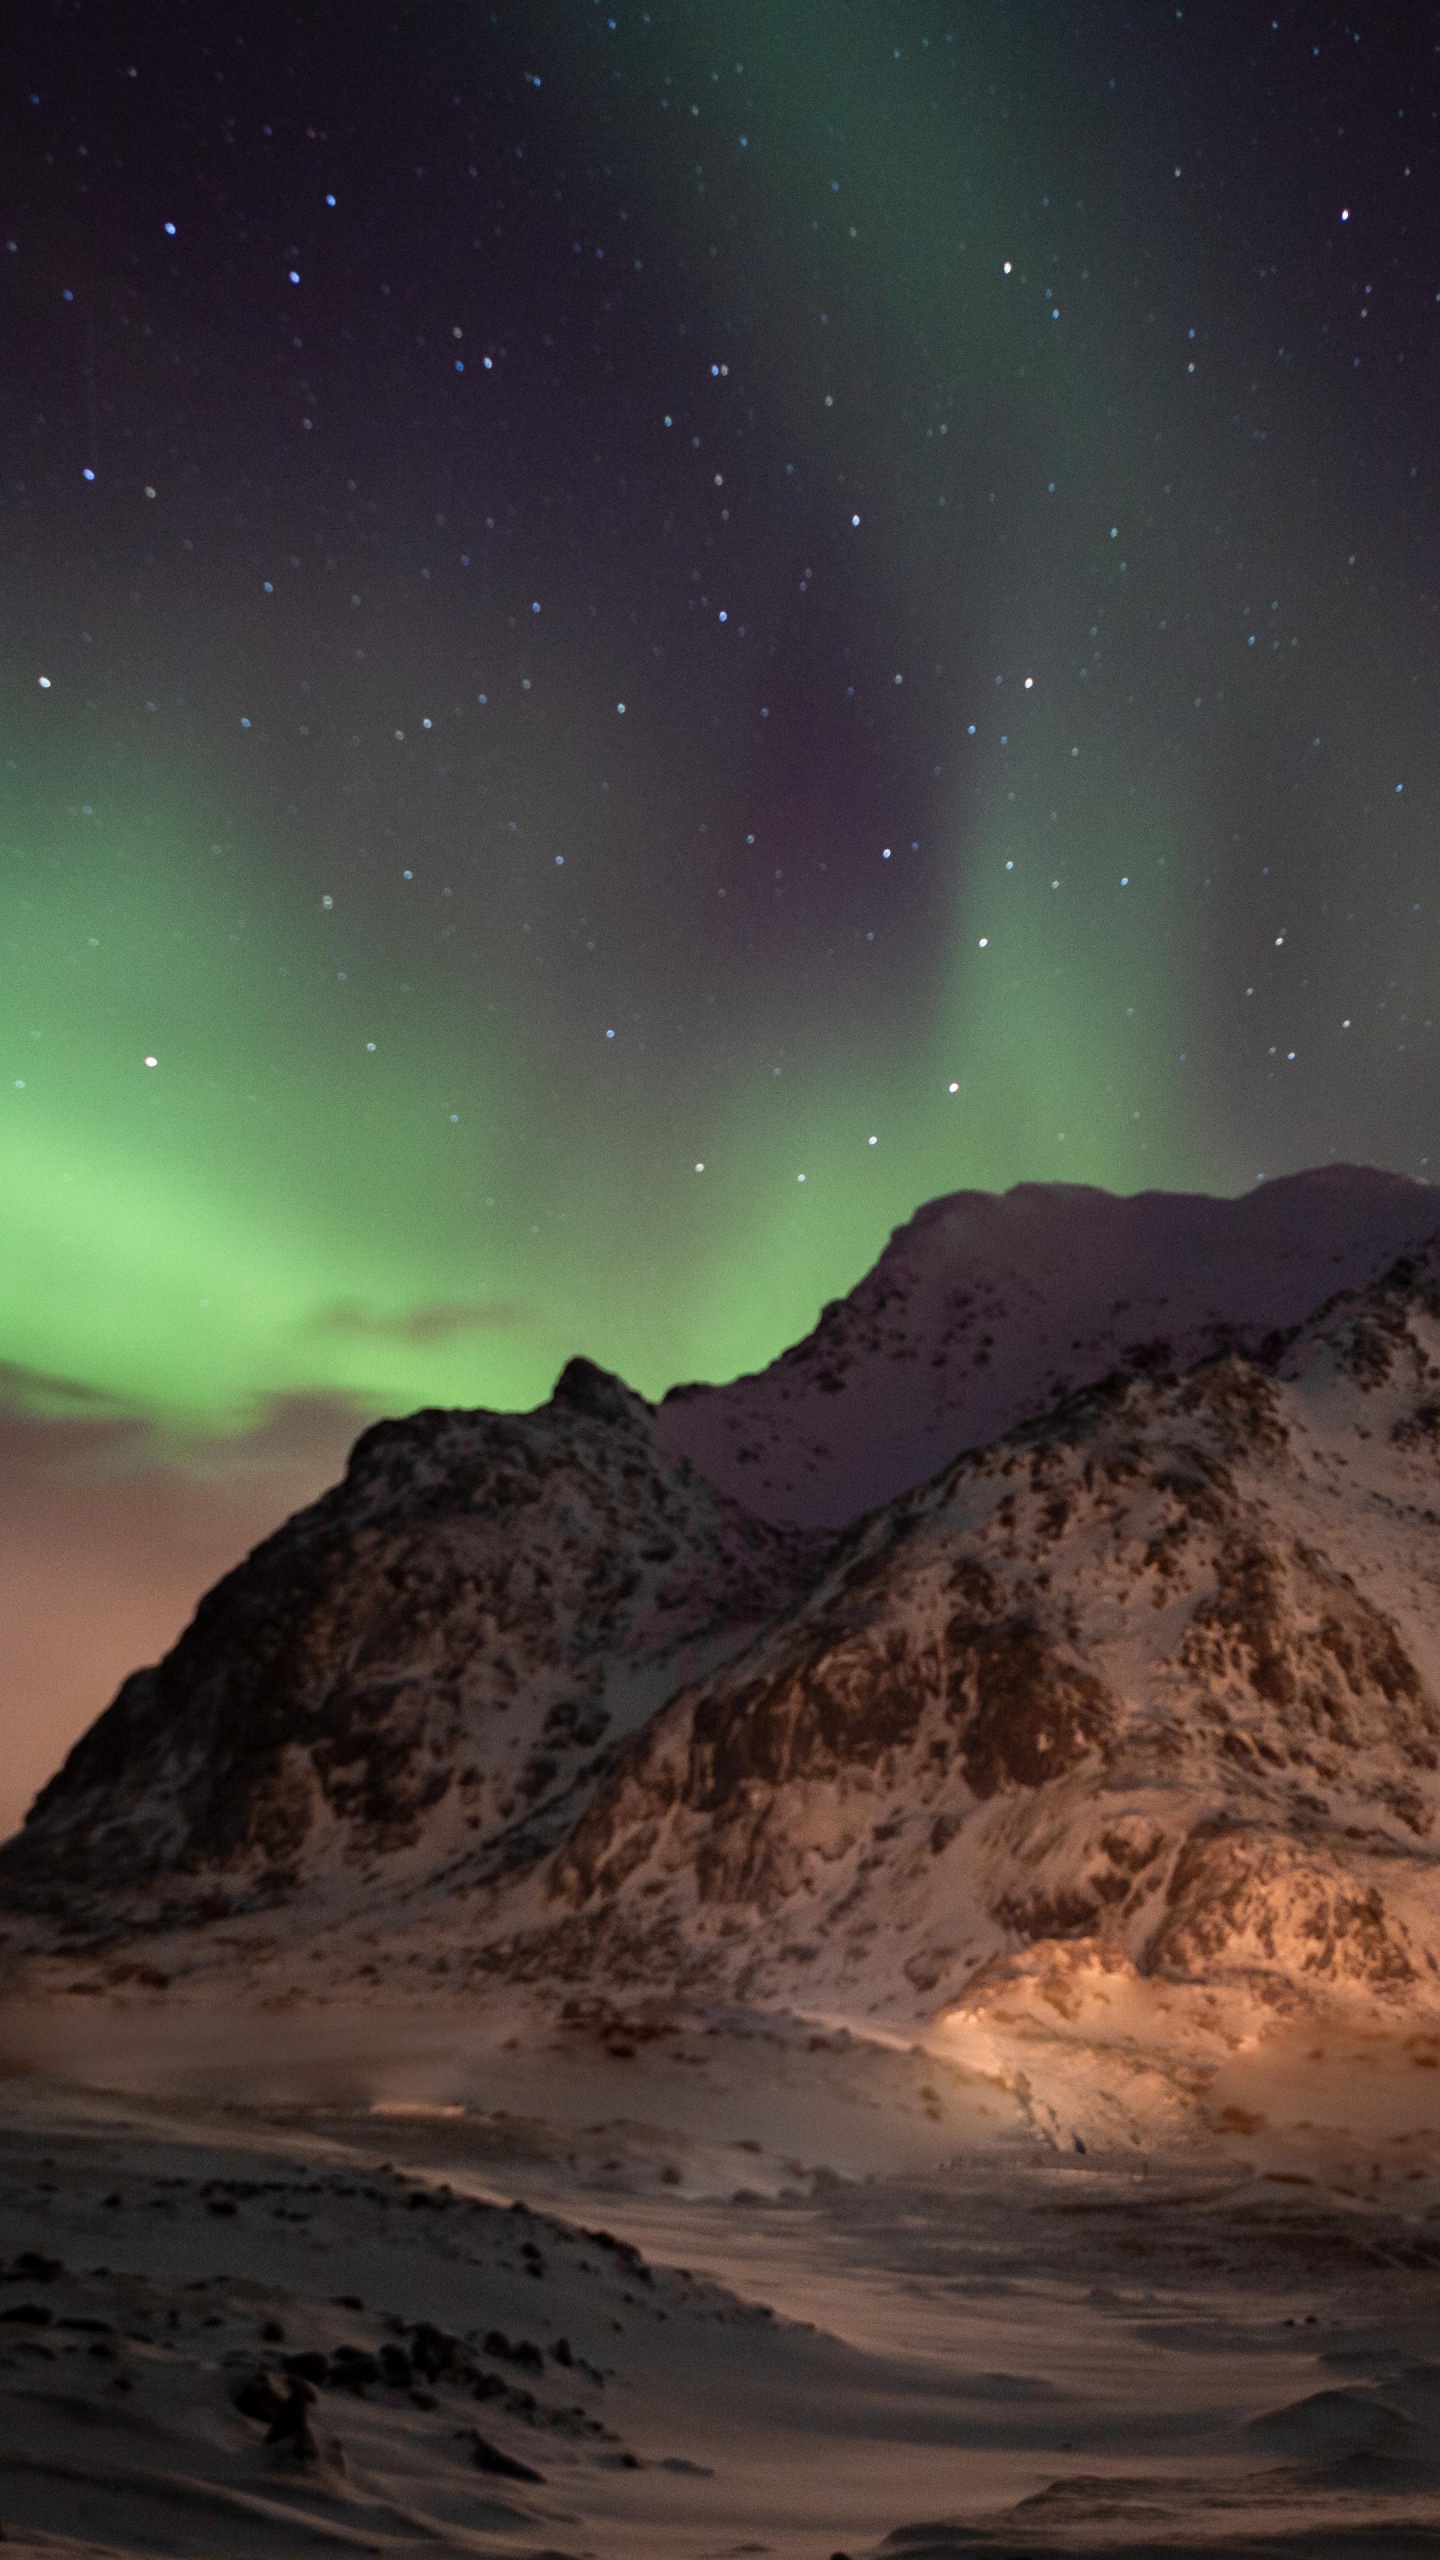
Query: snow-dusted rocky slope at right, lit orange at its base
[{"x": 1159, "y": 1673}]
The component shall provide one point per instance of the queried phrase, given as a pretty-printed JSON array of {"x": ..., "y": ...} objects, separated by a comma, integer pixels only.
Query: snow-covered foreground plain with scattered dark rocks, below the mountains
[{"x": 742, "y": 2287}]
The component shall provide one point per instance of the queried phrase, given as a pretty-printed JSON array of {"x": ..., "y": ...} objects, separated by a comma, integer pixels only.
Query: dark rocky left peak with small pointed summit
[{"x": 419, "y": 1670}]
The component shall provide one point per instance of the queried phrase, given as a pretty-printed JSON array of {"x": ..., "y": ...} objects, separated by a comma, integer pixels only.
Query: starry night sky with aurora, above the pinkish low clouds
[{"x": 634, "y": 641}]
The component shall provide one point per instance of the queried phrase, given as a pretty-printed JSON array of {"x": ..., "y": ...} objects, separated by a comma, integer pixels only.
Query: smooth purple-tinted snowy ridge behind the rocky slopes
[{"x": 988, "y": 1307}]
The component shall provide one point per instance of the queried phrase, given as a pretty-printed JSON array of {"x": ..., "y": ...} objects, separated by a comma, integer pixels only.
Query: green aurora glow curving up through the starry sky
[{"x": 421, "y": 1184}]
